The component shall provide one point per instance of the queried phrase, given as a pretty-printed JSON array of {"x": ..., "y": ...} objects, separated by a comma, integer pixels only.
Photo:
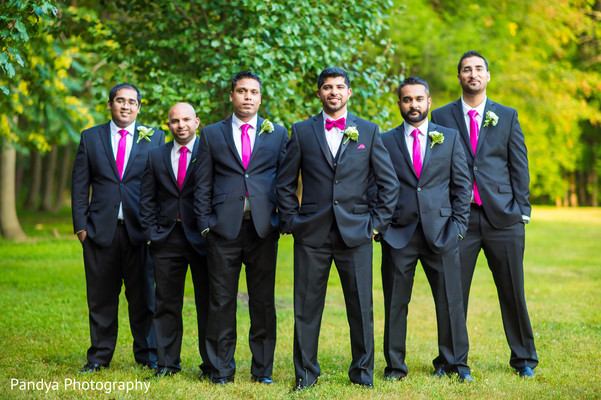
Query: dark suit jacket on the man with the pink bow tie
[{"x": 336, "y": 191}]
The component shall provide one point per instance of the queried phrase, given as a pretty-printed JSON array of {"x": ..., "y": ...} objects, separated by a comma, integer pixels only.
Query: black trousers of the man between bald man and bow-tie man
[{"x": 225, "y": 259}]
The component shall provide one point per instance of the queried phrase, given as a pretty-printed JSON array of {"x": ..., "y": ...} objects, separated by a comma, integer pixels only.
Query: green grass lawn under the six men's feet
[{"x": 44, "y": 326}]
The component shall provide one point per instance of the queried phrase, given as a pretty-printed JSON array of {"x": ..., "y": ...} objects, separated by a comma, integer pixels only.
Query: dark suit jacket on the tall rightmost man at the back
[{"x": 500, "y": 165}]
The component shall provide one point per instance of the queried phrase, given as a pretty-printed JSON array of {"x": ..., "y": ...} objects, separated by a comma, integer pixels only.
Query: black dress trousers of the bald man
[{"x": 172, "y": 258}]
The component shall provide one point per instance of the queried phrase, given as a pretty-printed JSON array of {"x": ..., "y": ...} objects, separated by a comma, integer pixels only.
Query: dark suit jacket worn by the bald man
[{"x": 162, "y": 202}]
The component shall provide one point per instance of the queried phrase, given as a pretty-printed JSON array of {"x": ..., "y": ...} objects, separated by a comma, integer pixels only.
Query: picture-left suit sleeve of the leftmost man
[{"x": 80, "y": 187}]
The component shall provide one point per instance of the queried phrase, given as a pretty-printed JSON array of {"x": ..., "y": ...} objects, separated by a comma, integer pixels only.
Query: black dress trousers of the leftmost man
[{"x": 107, "y": 268}]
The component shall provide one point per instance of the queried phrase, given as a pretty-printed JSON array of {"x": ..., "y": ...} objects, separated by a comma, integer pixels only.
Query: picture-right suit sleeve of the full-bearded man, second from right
[{"x": 460, "y": 187}]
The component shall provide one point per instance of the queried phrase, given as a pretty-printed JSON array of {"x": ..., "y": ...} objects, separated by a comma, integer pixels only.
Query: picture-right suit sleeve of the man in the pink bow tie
[{"x": 386, "y": 182}]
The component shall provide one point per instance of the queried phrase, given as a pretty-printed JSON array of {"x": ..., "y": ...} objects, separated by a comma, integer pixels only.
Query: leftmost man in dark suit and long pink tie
[{"x": 110, "y": 161}]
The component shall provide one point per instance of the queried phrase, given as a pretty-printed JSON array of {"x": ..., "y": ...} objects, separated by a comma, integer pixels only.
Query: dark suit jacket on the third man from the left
[{"x": 223, "y": 181}]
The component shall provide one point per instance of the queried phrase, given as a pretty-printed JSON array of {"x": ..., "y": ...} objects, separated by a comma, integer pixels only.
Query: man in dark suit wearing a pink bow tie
[{"x": 340, "y": 158}]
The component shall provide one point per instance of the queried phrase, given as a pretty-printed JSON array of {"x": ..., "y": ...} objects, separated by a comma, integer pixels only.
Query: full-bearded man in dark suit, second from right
[{"x": 429, "y": 219}]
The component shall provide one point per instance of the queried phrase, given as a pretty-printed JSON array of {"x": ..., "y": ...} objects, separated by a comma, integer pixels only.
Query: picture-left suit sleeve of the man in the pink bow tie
[{"x": 287, "y": 182}]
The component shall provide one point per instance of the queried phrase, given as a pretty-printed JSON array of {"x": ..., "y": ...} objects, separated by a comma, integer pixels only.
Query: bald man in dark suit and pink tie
[{"x": 170, "y": 226}]
